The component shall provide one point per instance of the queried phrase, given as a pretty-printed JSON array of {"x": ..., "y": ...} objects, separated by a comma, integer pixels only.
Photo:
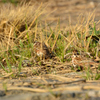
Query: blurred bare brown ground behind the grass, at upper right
[{"x": 70, "y": 12}]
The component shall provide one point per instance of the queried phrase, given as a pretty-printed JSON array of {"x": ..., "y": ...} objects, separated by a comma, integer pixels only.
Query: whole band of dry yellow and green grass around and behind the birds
[{"x": 21, "y": 26}]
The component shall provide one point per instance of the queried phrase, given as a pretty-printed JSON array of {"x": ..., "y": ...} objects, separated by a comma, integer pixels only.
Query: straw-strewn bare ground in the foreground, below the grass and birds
[{"x": 57, "y": 85}]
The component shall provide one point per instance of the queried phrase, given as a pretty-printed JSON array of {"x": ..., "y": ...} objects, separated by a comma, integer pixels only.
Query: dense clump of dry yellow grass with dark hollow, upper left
[{"x": 15, "y": 22}]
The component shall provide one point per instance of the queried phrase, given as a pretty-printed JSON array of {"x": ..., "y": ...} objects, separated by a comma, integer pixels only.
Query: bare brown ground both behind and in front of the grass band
[{"x": 66, "y": 84}]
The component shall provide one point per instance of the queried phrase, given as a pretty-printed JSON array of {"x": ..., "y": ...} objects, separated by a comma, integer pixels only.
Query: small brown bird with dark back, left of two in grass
[{"x": 41, "y": 50}]
